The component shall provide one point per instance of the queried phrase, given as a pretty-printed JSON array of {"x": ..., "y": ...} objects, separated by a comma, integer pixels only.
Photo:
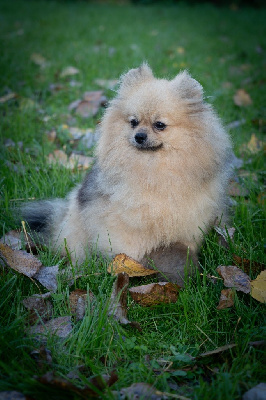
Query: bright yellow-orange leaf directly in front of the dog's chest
[{"x": 123, "y": 263}]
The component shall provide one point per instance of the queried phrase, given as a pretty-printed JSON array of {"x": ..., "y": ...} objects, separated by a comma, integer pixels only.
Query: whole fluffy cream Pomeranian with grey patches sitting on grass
[{"x": 159, "y": 180}]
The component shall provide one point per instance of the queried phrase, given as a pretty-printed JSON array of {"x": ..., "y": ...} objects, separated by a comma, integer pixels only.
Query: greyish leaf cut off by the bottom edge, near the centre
[{"x": 142, "y": 391}]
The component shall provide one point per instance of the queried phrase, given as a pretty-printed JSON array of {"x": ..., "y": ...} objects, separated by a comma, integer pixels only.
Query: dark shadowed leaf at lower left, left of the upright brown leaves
[{"x": 39, "y": 306}]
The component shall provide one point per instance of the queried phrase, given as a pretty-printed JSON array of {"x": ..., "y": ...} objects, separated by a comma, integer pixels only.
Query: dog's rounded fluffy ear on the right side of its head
[{"x": 188, "y": 88}]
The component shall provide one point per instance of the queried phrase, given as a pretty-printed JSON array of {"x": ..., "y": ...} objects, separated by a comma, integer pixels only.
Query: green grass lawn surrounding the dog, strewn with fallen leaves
[{"x": 102, "y": 41}]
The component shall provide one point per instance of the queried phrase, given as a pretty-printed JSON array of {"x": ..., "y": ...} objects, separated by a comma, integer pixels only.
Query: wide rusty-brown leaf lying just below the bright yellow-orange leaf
[{"x": 155, "y": 293}]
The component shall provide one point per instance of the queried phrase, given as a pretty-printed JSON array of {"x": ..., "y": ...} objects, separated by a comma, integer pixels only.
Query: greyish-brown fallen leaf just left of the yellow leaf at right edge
[{"x": 234, "y": 277}]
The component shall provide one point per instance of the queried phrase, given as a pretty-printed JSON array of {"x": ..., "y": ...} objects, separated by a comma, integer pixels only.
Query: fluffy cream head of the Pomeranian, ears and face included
[{"x": 150, "y": 112}]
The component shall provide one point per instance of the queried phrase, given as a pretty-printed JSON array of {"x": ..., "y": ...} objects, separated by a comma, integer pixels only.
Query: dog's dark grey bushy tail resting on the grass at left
[{"x": 43, "y": 216}]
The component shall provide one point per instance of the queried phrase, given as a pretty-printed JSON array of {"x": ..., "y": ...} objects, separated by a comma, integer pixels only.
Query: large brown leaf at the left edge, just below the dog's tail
[{"x": 20, "y": 260}]
